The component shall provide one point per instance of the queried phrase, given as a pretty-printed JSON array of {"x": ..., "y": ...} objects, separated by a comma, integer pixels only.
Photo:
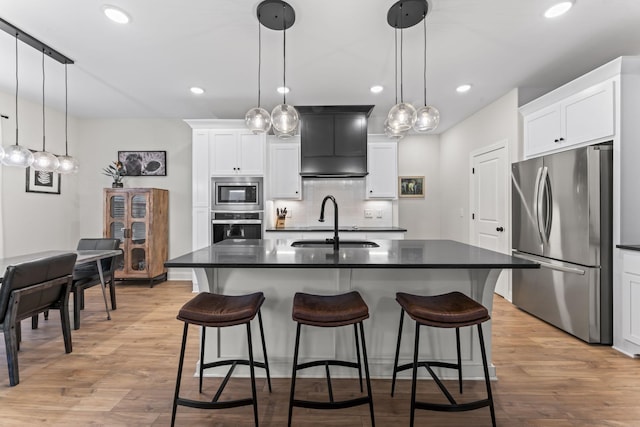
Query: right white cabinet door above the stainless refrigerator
[{"x": 589, "y": 115}]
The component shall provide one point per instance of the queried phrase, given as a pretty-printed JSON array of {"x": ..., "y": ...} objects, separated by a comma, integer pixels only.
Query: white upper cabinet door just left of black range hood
[{"x": 284, "y": 170}]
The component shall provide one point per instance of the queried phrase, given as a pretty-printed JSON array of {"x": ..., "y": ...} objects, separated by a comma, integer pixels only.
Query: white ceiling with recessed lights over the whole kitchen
[{"x": 336, "y": 50}]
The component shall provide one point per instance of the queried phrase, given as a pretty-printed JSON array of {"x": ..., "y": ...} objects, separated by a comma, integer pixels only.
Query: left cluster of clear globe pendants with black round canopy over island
[{"x": 276, "y": 15}]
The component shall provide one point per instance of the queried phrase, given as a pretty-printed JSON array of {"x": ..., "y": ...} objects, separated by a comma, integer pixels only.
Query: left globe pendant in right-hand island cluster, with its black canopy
[{"x": 402, "y": 116}]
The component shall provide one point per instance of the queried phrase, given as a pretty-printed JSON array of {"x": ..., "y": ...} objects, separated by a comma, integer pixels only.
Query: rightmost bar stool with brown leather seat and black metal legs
[{"x": 452, "y": 310}]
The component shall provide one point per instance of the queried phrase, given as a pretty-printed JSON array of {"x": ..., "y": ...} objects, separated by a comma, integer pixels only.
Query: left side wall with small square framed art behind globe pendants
[{"x": 33, "y": 221}]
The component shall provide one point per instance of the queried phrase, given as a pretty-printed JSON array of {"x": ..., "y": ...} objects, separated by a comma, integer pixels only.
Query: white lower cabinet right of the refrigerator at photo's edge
[{"x": 631, "y": 297}]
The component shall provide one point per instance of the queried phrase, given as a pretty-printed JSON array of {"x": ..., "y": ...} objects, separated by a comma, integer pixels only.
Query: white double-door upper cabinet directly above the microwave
[{"x": 236, "y": 152}]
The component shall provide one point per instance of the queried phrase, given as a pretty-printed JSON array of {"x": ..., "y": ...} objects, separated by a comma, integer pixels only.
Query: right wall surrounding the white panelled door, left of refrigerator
[{"x": 496, "y": 122}]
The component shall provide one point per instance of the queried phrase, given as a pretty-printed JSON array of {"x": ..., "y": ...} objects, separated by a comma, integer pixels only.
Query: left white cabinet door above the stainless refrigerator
[{"x": 542, "y": 131}]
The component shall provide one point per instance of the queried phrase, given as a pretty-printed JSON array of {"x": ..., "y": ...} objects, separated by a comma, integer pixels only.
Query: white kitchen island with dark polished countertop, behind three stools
[{"x": 425, "y": 267}]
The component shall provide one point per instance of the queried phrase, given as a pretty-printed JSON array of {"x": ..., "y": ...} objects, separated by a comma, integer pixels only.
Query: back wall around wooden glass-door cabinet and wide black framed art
[{"x": 100, "y": 142}]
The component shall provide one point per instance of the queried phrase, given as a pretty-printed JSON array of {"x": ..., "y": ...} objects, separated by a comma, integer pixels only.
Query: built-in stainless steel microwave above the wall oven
[{"x": 237, "y": 193}]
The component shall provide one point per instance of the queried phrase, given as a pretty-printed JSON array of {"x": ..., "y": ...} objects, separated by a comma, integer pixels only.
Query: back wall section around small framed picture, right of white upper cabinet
[{"x": 419, "y": 155}]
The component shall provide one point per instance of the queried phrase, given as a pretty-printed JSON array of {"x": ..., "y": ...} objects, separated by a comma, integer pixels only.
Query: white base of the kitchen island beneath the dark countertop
[{"x": 378, "y": 287}]
